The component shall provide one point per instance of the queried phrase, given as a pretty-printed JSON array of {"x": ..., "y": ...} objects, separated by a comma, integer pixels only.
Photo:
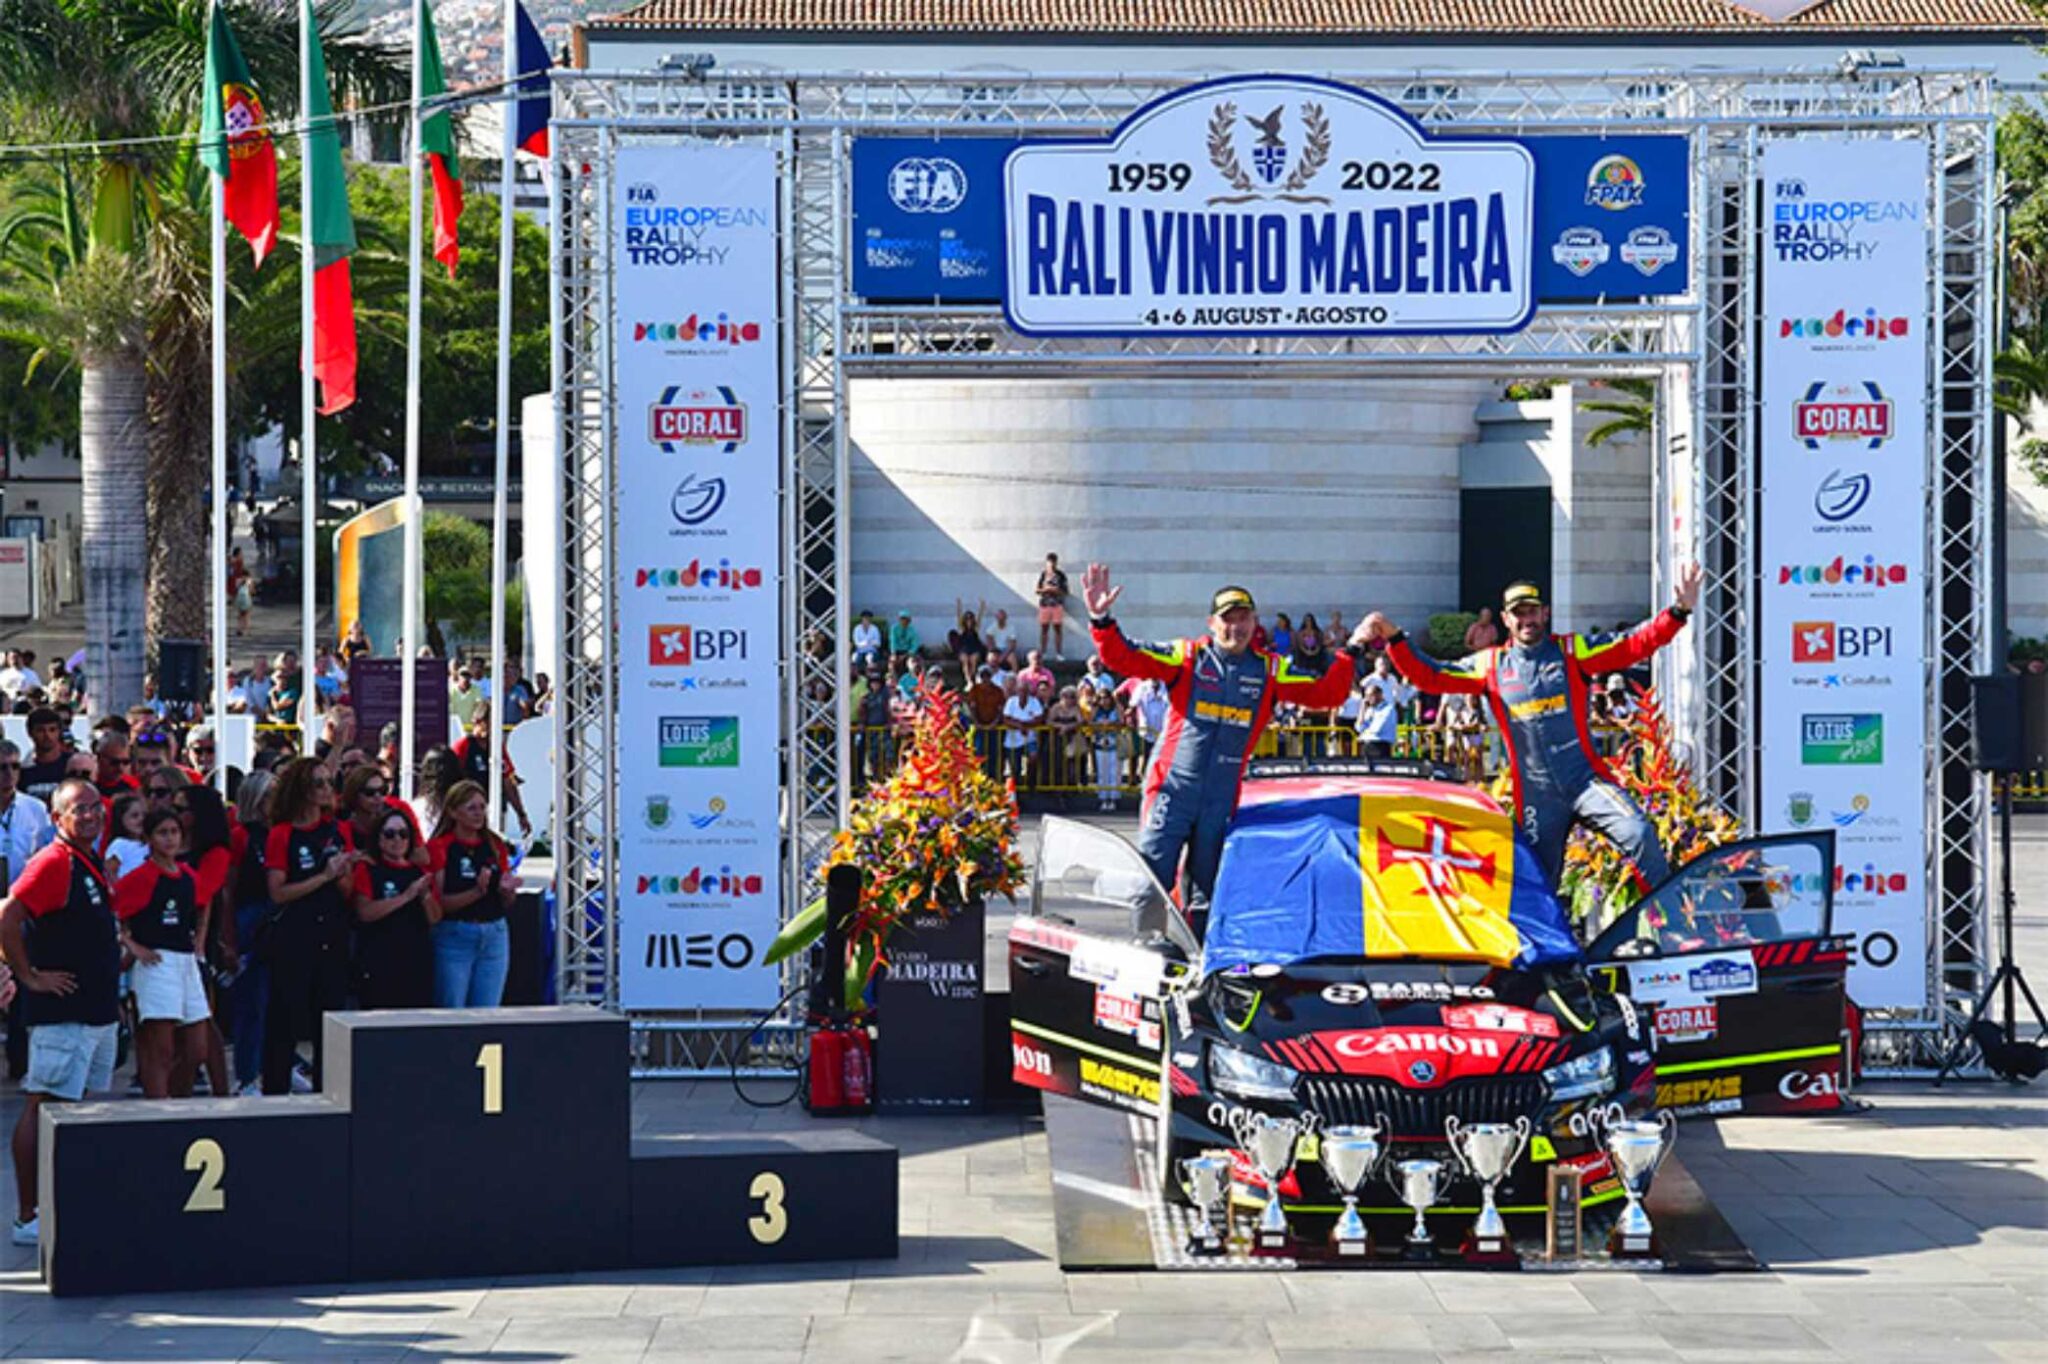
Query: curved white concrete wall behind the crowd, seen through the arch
[{"x": 1312, "y": 495}]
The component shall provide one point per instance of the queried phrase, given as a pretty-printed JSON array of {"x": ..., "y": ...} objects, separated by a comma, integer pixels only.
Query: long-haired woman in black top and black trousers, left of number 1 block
[{"x": 306, "y": 867}]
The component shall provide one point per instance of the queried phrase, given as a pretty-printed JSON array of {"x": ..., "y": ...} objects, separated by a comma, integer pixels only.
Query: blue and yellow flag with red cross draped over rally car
[{"x": 1381, "y": 869}]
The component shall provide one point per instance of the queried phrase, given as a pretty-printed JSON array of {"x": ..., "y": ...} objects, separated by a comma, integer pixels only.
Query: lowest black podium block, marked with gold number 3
[{"x": 822, "y": 1195}]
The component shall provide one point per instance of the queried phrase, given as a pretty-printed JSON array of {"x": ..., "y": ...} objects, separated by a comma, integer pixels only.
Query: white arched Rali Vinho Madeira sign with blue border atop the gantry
[{"x": 1269, "y": 206}]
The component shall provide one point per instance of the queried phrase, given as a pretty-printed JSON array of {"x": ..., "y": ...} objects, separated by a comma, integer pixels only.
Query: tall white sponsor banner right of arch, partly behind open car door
[{"x": 1844, "y": 495}]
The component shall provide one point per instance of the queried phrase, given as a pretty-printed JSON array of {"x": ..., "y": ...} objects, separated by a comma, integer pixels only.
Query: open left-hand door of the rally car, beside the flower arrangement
[{"x": 1089, "y": 968}]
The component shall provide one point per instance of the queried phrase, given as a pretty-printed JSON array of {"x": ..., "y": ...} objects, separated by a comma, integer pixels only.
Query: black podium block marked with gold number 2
[{"x": 194, "y": 1195}]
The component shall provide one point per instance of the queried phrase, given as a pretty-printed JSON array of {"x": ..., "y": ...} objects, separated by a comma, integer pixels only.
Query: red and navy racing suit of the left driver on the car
[{"x": 1218, "y": 708}]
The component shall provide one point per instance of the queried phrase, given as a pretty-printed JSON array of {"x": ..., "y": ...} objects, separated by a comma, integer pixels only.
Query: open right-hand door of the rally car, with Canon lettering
[{"x": 1736, "y": 966}]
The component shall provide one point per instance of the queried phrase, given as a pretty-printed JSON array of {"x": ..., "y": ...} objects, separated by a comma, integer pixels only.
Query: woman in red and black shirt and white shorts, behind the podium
[{"x": 163, "y": 923}]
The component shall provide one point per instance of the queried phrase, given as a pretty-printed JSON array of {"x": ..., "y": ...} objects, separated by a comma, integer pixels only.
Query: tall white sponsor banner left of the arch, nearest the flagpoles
[{"x": 697, "y": 550}]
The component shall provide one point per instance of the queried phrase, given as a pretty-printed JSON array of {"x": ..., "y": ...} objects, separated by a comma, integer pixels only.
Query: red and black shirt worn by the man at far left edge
[{"x": 71, "y": 929}]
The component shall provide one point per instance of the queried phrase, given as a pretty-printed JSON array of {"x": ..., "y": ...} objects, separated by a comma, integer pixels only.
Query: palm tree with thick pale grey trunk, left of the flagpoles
[{"x": 128, "y": 306}]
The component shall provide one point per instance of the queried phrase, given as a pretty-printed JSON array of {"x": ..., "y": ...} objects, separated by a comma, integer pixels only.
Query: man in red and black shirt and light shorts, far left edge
[{"x": 69, "y": 972}]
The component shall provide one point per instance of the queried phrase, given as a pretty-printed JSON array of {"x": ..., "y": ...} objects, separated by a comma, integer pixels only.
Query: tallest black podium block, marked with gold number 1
[{"x": 484, "y": 1142}]
